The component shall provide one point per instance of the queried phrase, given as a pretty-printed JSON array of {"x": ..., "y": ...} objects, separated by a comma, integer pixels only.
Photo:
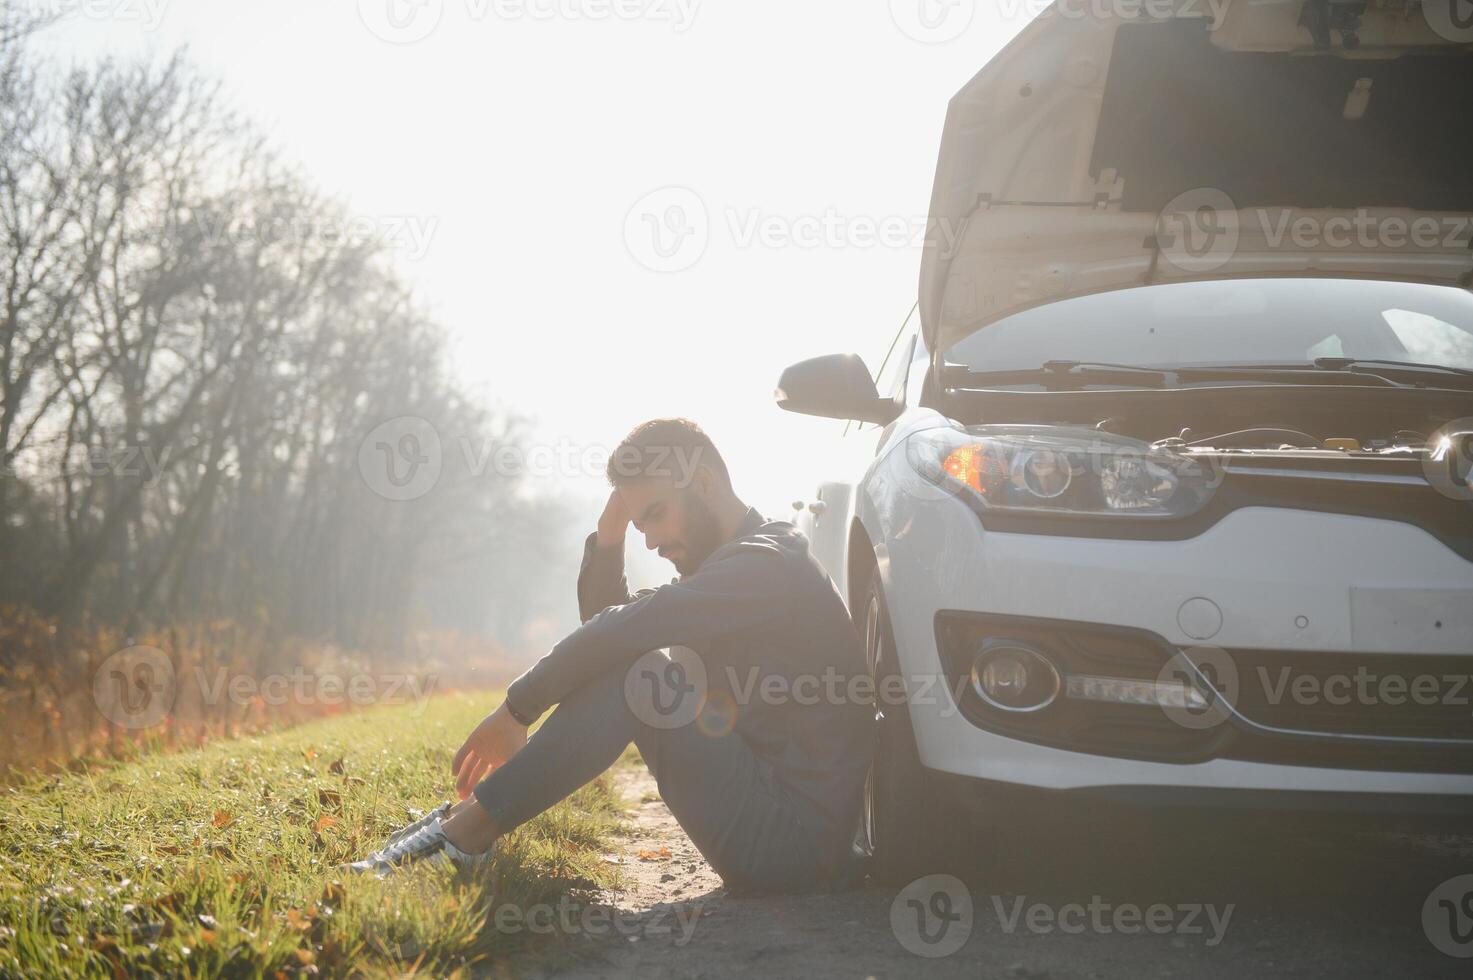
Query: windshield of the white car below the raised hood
[{"x": 1234, "y": 322}]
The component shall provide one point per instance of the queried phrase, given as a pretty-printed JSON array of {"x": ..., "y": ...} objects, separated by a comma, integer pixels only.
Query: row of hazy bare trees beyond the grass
[{"x": 194, "y": 354}]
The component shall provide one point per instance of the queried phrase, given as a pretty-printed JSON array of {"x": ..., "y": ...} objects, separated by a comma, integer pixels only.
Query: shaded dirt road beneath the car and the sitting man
[{"x": 1242, "y": 901}]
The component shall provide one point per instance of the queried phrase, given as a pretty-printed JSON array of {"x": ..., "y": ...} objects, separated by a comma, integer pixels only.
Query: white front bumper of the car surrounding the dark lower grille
[{"x": 1328, "y": 589}]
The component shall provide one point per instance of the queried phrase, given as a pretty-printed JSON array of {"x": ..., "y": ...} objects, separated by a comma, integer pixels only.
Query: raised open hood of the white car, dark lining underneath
[{"x": 1240, "y": 139}]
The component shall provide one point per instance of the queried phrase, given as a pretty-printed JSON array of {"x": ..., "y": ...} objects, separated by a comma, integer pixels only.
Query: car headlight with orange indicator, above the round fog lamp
[{"x": 1060, "y": 471}]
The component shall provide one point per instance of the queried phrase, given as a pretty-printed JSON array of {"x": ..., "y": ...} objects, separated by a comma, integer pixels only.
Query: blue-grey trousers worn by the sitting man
[{"x": 723, "y": 794}]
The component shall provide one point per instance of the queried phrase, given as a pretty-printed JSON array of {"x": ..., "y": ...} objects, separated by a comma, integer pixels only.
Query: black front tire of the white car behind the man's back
[{"x": 913, "y": 826}]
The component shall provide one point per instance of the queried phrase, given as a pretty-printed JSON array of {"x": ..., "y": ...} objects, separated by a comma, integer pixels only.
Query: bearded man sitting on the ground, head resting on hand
[{"x": 767, "y": 777}]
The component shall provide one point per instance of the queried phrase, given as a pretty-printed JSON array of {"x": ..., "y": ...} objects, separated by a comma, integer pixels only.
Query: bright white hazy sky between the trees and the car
[{"x": 521, "y": 154}]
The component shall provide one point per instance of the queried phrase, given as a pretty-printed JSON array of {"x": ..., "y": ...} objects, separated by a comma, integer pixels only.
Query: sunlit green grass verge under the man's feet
[{"x": 219, "y": 863}]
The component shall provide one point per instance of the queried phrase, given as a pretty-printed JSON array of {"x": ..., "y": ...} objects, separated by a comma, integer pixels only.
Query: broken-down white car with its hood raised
[{"x": 1172, "y": 497}]
